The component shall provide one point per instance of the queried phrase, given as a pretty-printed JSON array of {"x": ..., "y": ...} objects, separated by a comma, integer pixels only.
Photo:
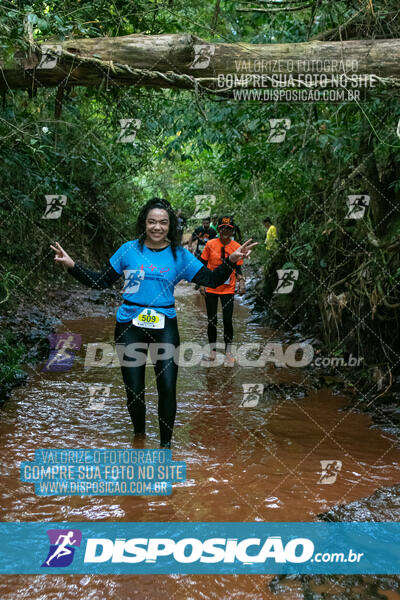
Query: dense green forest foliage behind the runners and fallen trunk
[{"x": 188, "y": 143}]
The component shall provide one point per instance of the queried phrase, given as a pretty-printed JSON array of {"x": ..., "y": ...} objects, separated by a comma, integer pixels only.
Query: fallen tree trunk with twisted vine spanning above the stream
[{"x": 183, "y": 61}]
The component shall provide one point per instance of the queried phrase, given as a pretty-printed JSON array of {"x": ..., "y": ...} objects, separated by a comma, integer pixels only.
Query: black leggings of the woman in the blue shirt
[{"x": 134, "y": 376}]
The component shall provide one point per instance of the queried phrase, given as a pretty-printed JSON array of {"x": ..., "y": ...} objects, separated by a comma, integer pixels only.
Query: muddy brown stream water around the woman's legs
[{"x": 243, "y": 464}]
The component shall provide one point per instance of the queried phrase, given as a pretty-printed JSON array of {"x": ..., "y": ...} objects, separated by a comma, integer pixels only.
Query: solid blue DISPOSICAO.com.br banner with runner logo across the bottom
[{"x": 208, "y": 548}]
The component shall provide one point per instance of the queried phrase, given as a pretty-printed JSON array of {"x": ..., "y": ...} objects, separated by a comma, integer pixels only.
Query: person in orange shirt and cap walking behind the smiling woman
[{"x": 212, "y": 256}]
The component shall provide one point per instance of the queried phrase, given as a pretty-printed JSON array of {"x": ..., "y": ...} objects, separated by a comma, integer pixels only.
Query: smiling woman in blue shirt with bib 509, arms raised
[{"x": 152, "y": 265}]
